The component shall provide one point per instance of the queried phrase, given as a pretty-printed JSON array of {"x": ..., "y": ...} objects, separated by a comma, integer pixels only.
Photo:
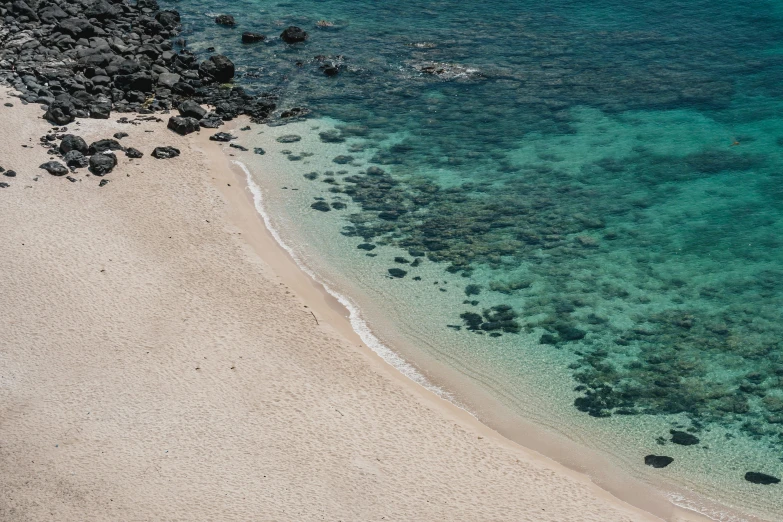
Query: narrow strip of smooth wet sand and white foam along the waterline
[{"x": 538, "y": 444}]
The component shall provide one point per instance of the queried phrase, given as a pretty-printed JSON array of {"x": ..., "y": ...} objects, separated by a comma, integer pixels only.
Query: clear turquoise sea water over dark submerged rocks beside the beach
[{"x": 589, "y": 190}]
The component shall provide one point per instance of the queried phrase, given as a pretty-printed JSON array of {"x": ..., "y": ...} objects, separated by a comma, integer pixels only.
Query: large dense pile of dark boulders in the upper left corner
[{"x": 88, "y": 58}]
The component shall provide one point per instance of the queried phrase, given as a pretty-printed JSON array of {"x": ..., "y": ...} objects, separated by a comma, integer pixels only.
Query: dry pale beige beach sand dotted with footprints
[{"x": 158, "y": 361}]
